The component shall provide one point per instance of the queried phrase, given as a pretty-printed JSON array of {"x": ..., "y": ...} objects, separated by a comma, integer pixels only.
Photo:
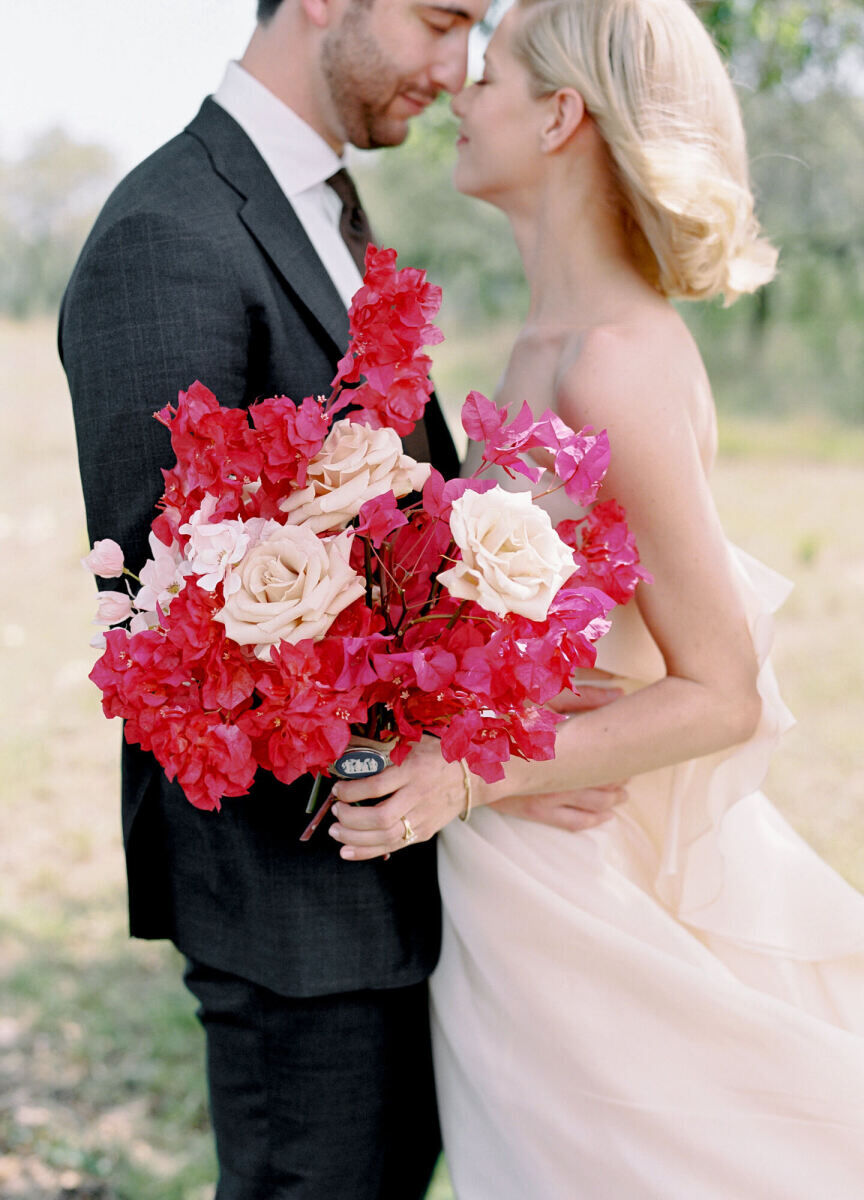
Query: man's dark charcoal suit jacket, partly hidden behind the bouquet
[{"x": 199, "y": 269}]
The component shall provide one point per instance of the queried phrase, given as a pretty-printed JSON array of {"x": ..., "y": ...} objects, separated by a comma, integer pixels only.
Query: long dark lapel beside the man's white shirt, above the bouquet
[{"x": 271, "y": 219}]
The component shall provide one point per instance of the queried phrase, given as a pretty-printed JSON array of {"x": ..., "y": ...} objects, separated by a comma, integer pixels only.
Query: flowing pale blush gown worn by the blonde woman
[{"x": 670, "y": 1007}]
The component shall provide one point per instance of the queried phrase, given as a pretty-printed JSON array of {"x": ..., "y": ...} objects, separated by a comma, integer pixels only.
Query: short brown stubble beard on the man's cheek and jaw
[{"x": 363, "y": 83}]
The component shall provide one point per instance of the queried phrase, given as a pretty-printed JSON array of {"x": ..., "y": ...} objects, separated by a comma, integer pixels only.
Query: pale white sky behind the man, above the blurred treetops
[{"x": 128, "y": 74}]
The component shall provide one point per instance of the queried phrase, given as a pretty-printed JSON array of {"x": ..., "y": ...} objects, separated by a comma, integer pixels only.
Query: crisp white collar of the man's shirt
[{"x": 298, "y": 157}]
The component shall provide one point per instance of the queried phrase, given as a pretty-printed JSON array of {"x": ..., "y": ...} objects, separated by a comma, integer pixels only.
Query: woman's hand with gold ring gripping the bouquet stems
[{"x": 423, "y": 795}]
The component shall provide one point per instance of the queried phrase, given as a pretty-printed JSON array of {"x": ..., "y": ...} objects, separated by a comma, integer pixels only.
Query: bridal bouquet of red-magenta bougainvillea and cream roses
[{"x": 292, "y": 604}]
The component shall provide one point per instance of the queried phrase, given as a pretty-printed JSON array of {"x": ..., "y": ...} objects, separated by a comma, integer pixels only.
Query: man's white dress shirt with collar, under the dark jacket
[{"x": 302, "y": 161}]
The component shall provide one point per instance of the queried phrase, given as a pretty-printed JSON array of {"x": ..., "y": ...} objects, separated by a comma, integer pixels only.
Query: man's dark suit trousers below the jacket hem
[{"x": 323, "y": 1099}]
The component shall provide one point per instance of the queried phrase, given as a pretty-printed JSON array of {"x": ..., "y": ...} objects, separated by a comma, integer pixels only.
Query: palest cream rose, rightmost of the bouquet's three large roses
[{"x": 513, "y": 561}]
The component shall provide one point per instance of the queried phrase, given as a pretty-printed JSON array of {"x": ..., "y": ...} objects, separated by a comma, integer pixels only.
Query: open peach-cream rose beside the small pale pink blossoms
[{"x": 291, "y": 586}]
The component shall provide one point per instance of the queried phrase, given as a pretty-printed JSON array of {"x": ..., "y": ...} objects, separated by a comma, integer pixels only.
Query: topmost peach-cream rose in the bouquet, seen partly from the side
[{"x": 355, "y": 465}]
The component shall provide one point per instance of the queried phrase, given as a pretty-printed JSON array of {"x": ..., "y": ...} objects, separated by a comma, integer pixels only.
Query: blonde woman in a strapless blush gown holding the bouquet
[{"x": 670, "y": 1005}]
